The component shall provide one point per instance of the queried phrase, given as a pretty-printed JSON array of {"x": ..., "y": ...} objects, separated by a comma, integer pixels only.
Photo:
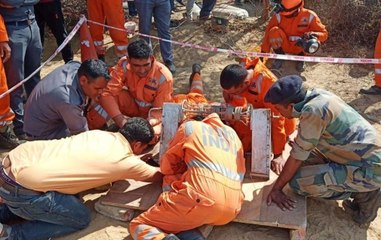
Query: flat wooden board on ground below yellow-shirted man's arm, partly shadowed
[{"x": 132, "y": 194}]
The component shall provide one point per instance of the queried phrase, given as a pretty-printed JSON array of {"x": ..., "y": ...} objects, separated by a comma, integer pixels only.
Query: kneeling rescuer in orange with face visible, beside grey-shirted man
[{"x": 138, "y": 83}]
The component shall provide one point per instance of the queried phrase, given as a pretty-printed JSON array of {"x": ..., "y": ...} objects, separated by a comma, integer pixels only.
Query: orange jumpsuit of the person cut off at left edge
[{"x": 6, "y": 114}]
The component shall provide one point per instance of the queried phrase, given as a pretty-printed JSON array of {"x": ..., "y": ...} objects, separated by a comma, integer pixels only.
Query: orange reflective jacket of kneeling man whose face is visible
[{"x": 149, "y": 92}]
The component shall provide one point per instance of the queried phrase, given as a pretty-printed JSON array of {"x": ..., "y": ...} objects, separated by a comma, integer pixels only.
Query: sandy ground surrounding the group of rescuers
[{"x": 326, "y": 219}]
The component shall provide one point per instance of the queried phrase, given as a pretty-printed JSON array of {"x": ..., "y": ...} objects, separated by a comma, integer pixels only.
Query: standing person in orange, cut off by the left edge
[{"x": 8, "y": 139}]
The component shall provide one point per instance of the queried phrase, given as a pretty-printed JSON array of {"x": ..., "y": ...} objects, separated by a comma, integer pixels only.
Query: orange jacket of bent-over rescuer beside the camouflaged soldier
[{"x": 255, "y": 94}]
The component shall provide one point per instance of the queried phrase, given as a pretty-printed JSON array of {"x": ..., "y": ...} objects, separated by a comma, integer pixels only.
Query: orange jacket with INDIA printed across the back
[{"x": 205, "y": 153}]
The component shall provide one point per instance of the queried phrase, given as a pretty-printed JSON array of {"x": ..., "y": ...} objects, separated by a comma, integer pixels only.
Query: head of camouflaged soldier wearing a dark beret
[{"x": 285, "y": 93}]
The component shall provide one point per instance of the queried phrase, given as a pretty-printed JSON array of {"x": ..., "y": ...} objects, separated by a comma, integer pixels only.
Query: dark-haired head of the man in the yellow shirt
[{"x": 138, "y": 132}]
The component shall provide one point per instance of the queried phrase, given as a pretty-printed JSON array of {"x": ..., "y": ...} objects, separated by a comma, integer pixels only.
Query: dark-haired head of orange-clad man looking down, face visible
[{"x": 140, "y": 57}]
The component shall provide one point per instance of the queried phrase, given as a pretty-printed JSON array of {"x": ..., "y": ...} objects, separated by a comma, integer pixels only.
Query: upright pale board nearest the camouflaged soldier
[{"x": 260, "y": 125}]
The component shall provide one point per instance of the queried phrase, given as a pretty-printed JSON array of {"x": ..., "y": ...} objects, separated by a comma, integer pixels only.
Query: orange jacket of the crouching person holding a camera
[{"x": 305, "y": 21}]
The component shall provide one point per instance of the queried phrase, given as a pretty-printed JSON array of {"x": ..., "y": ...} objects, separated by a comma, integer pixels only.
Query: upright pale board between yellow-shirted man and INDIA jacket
[{"x": 172, "y": 114}]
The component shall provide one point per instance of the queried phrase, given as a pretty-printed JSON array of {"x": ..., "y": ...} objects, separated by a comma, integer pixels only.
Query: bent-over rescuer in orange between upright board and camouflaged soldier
[{"x": 249, "y": 85}]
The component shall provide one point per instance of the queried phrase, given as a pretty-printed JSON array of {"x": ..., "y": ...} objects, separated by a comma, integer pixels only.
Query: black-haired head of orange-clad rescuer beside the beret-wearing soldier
[{"x": 234, "y": 79}]
